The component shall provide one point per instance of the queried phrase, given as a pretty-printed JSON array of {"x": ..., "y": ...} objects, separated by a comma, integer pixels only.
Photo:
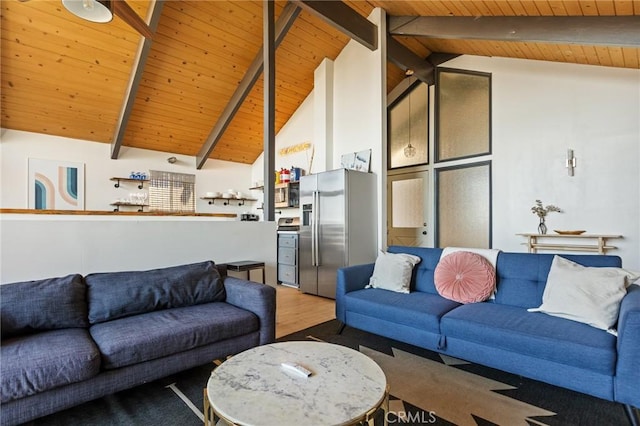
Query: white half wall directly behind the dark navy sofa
[{"x": 39, "y": 246}]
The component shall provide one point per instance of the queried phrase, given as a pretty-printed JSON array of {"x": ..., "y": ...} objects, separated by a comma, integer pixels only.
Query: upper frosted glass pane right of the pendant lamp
[{"x": 463, "y": 114}]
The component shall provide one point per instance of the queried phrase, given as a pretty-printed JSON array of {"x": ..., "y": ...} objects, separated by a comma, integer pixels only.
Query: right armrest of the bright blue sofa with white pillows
[{"x": 627, "y": 379}]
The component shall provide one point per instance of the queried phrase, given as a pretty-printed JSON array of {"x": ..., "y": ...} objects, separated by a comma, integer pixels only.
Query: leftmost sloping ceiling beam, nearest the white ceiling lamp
[{"x": 134, "y": 81}]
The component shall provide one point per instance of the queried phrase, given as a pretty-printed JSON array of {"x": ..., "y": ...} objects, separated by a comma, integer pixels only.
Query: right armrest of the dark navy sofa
[{"x": 257, "y": 298}]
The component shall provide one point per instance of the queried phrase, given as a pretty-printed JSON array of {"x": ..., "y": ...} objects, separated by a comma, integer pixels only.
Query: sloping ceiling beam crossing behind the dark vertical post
[{"x": 282, "y": 25}]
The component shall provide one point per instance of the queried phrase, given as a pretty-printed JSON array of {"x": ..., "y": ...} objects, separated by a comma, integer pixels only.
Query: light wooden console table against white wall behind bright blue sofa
[{"x": 598, "y": 246}]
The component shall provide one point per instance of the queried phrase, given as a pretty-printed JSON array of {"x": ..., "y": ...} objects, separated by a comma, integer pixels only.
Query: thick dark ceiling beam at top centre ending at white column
[{"x": 342, "y": 17}]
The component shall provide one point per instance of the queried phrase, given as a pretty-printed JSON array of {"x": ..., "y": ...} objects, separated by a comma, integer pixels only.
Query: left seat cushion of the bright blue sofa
[{"x": 416, "y": 309}]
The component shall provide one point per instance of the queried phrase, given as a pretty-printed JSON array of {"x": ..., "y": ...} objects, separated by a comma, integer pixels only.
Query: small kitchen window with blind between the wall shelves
[{"x": 172, "y": 192}]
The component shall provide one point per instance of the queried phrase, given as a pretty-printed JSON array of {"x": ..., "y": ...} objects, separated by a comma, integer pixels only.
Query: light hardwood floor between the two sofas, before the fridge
[{"x": 296, "y": 311}]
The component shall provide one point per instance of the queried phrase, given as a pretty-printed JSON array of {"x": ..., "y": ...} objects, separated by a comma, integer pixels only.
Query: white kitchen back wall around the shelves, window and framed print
[{"x": 17, "y": 147}]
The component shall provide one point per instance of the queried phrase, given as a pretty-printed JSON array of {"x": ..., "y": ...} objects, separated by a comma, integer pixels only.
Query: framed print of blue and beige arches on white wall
[{"x": 56, "y": 185}]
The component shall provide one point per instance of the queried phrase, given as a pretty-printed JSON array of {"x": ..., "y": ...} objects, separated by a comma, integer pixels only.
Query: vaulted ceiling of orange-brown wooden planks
[{"x": 65, "y": 76}]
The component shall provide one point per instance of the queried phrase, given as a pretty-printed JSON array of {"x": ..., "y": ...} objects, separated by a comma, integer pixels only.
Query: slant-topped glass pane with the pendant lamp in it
[{"x": 408, "y": 120}]
